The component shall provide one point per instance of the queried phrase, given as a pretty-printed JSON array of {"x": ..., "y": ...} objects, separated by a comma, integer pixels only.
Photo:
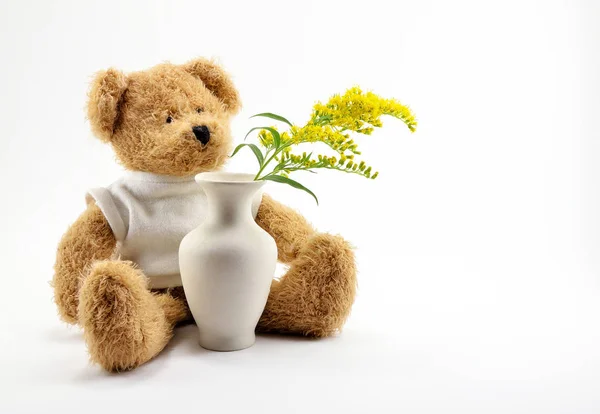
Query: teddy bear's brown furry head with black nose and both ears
[{"x": 170, "y": 119}]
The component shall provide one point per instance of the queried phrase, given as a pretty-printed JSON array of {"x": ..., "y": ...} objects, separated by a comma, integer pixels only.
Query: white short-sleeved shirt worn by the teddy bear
[{"x": 149, "y": 215}]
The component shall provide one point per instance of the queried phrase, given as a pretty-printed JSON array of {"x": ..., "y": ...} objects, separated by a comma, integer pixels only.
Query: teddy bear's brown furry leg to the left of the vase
[{"x": 124, "y": 324}]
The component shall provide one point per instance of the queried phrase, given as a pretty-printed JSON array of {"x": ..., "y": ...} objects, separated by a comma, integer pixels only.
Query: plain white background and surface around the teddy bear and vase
[{"x": 478, "y": 245}]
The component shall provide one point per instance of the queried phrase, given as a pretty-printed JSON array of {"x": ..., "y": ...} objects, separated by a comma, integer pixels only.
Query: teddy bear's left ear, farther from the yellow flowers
[{"x": 105, "y": 96}]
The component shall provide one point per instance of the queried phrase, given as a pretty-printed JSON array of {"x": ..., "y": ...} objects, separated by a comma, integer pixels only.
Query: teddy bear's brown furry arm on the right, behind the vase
[{"x": 289, "y": 229}]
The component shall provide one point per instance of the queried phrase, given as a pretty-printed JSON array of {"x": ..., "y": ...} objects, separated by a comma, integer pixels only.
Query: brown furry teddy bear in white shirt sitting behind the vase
[{"x": 167, "y": 124}]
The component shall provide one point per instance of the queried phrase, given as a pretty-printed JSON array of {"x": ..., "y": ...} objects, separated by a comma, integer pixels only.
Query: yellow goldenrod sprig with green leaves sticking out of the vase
[{"x": 331, "y": 124}]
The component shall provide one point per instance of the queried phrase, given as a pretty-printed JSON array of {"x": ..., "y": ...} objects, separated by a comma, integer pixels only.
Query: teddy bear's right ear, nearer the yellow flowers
[{"x": 217, "y": 81}]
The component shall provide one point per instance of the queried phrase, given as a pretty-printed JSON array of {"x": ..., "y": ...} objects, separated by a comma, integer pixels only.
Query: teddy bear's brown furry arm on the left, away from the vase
[{"x": 88, "y": 239}]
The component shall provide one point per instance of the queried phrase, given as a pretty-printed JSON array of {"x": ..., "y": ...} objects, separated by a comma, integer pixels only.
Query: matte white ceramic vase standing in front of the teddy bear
[{"x": 227, "y": 263}]
